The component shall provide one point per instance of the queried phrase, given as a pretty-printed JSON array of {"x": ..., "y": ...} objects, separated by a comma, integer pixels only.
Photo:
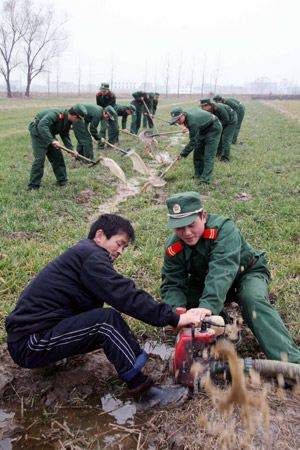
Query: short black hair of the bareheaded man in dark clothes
[{"x": 112, "y": 224}]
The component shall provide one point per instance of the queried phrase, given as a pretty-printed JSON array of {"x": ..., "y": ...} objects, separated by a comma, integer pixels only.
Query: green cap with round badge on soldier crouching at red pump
[{"x": 183, "y": 209}]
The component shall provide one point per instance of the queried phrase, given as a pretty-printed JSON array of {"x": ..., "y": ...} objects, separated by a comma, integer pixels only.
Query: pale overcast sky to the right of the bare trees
[{"x": 243, "y": 40}]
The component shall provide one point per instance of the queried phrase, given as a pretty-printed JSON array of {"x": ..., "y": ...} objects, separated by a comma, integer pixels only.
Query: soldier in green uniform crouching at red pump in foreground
[{"x": 208, "y": 262}]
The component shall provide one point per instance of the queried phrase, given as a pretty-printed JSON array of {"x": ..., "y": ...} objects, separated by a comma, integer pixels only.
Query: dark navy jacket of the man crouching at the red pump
[{"x": 79, "y": 280}]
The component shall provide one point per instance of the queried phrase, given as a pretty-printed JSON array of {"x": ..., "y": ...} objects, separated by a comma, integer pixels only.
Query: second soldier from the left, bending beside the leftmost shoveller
[{"x": 85, "y": 129}]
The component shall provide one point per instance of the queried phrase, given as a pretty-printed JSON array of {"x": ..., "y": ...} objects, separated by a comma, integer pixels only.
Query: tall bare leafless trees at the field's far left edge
[{"x": 31, "y": 36}]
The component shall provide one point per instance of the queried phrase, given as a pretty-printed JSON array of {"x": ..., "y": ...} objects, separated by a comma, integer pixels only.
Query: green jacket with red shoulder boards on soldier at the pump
[{"x": 220, "y": 257}]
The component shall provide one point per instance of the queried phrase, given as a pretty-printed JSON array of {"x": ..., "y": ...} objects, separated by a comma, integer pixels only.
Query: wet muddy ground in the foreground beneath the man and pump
[{"x": 84, "y": 405}]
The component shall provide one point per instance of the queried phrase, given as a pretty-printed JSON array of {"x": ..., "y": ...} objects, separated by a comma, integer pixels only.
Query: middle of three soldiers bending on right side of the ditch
[{"x": 228, "y": 120}]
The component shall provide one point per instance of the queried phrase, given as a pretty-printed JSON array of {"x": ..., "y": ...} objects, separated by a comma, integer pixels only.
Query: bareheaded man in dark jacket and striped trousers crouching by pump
[{"x": 61, "y": 312}]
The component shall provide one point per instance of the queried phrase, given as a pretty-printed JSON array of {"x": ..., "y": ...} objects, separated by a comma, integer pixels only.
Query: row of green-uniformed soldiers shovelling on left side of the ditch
[{"x": 56, "y": 121}]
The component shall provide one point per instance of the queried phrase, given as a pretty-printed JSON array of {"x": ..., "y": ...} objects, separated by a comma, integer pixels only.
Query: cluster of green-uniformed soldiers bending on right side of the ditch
[{"x": 213, "y": 129}]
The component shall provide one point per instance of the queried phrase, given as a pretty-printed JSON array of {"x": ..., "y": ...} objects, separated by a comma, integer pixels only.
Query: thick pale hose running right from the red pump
[{"x": 271, "y": 368}]
